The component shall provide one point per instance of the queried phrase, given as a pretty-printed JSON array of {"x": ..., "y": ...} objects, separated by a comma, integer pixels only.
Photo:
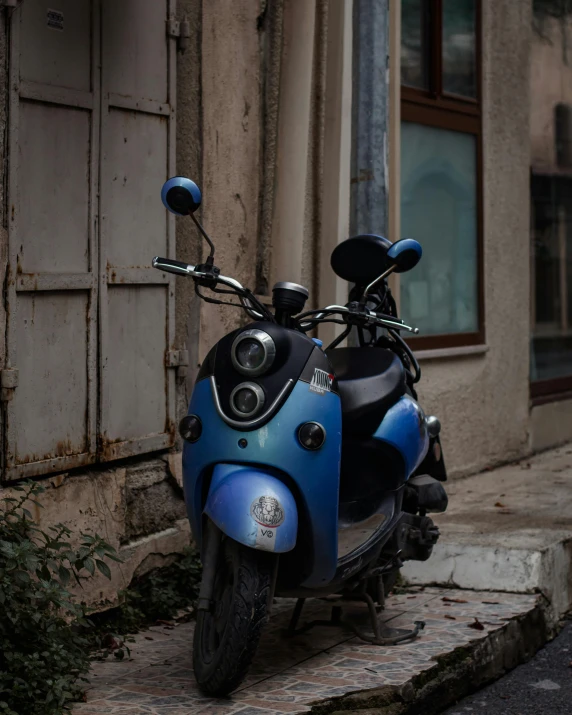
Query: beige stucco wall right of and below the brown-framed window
[{"x": 482, "y": 399}]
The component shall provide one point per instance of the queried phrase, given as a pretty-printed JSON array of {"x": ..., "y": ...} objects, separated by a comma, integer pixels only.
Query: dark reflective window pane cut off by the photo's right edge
[{"x": 551, "y": 194}]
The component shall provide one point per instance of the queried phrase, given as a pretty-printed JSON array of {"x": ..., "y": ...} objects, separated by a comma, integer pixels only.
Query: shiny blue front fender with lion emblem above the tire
[{"x": 253, "y": 508}]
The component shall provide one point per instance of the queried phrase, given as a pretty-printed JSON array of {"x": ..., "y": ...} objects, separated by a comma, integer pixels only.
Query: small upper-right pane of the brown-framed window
[{"x": 459, "y": 47}]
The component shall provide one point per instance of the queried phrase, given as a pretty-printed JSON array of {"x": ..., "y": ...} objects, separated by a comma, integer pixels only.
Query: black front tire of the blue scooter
[{"x": 226, "y": 639}]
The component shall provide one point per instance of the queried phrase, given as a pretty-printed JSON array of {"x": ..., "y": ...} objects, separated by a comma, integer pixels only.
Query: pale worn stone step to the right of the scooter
[{"x": 508, "y": 529}]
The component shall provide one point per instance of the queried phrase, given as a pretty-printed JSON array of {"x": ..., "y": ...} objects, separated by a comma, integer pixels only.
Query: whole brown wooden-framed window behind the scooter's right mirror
[{"x": 441, "y": 170}]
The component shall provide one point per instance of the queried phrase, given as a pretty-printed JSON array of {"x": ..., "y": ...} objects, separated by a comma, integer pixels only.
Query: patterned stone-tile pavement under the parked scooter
[{"x": 291, "y": 673}]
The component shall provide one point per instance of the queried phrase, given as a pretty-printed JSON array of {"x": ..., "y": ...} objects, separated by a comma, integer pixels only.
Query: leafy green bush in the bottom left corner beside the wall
[{"x": 43, "y": 654}]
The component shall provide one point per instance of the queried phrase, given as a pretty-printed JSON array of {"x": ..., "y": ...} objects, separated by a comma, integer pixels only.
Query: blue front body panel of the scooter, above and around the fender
[{"x": 312, "y": 476}]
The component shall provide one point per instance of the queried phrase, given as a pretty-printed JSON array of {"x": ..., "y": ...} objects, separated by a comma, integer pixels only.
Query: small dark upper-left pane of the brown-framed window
[{"x": 415, "y": 43}]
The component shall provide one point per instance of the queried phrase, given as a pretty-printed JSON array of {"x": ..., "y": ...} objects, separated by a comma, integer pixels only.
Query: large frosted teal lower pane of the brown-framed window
[{"x": 439, "y": 209}]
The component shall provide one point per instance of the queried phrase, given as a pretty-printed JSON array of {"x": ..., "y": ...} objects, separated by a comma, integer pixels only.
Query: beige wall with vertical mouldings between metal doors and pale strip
[{"x": 263, "y": 128}]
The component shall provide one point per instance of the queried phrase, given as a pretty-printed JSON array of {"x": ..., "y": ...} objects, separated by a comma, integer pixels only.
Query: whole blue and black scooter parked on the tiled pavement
[{"x": 307, "y": 472}]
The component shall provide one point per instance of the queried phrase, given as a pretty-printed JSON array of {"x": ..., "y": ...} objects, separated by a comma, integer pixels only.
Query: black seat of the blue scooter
[{"x": 370, "y": 381}]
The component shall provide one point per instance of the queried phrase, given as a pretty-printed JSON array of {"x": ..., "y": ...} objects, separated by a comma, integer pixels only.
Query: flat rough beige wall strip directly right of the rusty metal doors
[{"x": 231, "y": 117}]
